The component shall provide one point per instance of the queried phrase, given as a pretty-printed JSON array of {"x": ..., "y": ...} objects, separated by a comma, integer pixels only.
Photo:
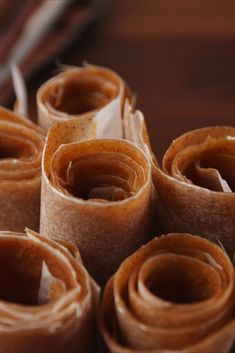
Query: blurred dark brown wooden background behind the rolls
[{"x": 177, "y": 55}]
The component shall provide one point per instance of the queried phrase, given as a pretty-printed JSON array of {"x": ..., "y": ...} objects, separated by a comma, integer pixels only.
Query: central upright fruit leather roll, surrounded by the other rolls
[{"x": 96, "y": 192}]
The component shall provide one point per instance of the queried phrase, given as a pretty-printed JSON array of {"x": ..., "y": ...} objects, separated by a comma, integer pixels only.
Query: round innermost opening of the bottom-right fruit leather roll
[{"x": 180, "y": 279}]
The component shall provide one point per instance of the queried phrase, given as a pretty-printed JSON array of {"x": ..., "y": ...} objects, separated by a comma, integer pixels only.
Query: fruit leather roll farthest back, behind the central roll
[{"x": 78, "y": 91}]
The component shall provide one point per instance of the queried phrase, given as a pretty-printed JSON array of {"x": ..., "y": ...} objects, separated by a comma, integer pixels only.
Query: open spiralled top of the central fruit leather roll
[{"x": 99, "y": 170}]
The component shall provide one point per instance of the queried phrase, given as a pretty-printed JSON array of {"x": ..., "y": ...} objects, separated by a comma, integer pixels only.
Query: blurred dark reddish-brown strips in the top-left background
[{"x": 76, "y": 17}]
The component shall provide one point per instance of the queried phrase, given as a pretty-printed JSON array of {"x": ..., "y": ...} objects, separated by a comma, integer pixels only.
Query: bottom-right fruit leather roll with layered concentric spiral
[{"x": 175, "y": 294}]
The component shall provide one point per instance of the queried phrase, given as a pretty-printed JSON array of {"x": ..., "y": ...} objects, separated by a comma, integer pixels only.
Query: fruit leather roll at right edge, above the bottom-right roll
[{"x": 196, "y": 185}]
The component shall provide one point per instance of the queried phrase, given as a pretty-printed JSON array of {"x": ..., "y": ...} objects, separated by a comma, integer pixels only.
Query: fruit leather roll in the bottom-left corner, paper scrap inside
[{"x": 47, "y": 297}]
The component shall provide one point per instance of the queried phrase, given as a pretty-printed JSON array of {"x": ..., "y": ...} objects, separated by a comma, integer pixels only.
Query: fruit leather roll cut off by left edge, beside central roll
[{"x": 21, "y": 145}]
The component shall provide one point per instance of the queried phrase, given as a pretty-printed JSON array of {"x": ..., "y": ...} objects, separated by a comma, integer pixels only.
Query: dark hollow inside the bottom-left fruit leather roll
[{"x": 21, "y": 272}]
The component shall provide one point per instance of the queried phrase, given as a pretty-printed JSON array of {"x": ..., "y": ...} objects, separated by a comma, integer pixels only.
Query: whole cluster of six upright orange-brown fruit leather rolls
[{"x": 102, "y": 191}]
